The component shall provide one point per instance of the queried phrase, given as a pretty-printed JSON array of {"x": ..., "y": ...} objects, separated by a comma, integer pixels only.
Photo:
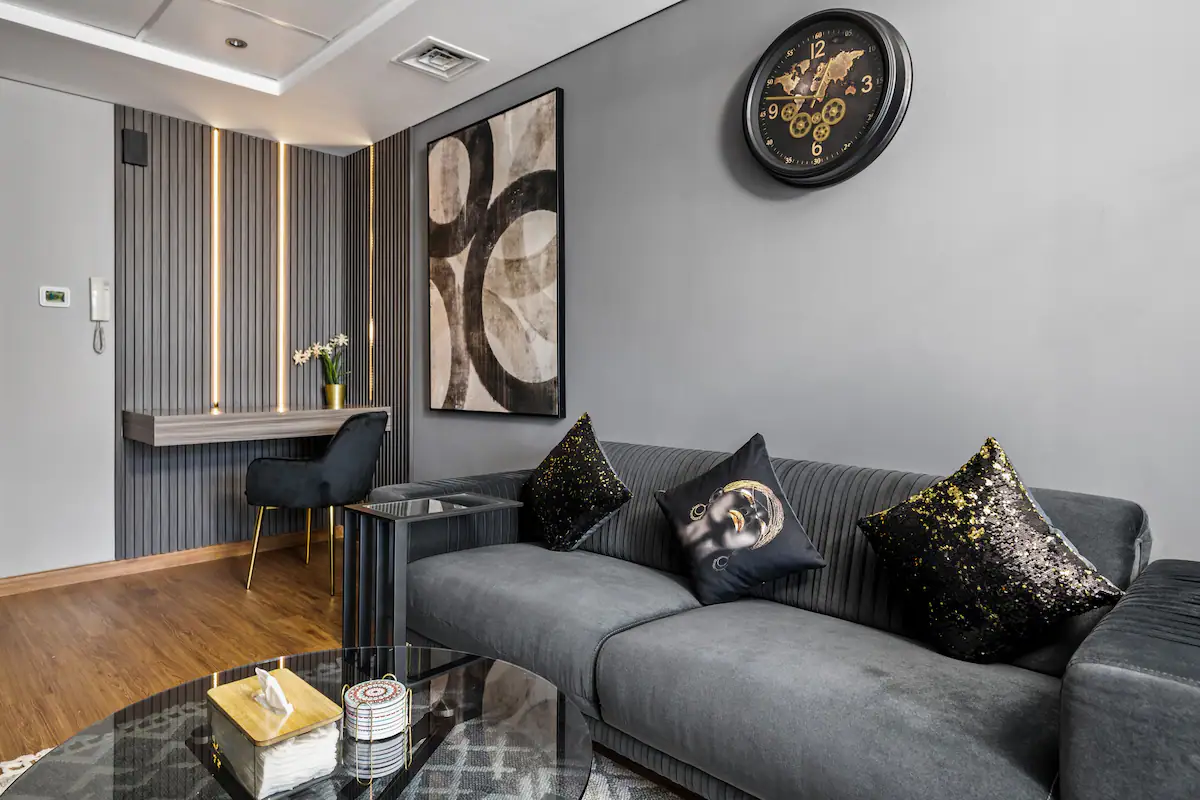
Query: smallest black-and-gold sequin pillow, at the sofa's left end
[{"x": 573, "y": 491}]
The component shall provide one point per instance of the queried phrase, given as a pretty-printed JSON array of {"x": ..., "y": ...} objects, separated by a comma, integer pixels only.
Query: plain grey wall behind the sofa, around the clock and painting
[{"x": 1022, "y": 262}]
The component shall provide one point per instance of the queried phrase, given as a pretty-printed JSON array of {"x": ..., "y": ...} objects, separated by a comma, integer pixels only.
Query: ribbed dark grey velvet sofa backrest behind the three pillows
[{"x": 830, "y": 500}]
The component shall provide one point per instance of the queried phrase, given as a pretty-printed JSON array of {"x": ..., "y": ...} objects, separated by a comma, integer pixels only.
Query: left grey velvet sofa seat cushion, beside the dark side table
[{"x": 544, "y": 611}]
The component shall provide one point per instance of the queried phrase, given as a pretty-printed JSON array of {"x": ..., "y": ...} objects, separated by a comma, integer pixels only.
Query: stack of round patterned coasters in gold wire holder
[{"x": 376, "y": 724}]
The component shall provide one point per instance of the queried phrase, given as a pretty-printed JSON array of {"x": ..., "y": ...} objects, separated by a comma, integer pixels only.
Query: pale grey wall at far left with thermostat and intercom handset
[{"x": 57, "y": 396}]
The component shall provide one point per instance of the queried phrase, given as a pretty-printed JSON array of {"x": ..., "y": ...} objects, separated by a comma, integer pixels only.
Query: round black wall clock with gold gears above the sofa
[{"x": 827, "y": 98}]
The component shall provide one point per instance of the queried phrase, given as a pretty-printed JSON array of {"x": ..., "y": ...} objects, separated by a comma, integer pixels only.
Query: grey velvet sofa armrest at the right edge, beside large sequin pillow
[{"x": 1131, "y": 697}]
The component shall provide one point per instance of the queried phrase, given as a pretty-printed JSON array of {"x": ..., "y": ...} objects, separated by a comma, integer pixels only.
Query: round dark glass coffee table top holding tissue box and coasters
[{"x": 481, "y": 729}]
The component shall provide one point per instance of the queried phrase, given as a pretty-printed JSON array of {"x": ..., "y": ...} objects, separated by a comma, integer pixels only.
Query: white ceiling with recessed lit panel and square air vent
[{"x": 316, "y": 73}]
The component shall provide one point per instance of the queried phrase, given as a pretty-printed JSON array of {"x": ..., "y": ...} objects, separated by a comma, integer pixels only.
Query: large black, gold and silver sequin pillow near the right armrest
[{"x": 982, "y": 572}]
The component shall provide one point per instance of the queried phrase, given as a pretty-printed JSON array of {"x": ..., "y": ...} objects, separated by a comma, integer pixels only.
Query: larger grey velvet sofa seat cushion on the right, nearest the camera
[{"x": 785, "y": 703}]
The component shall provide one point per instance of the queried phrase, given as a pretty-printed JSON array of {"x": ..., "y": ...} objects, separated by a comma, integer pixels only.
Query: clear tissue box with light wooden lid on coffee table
[{"x": 272, "y": 755}]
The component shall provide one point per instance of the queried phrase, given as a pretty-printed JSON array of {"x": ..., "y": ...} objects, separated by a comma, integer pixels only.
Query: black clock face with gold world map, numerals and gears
[{"x": 823, "y": 95}]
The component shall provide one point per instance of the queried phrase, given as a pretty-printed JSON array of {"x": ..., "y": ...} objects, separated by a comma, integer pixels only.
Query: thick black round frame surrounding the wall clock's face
[{"x": 895, "y": 52}]
